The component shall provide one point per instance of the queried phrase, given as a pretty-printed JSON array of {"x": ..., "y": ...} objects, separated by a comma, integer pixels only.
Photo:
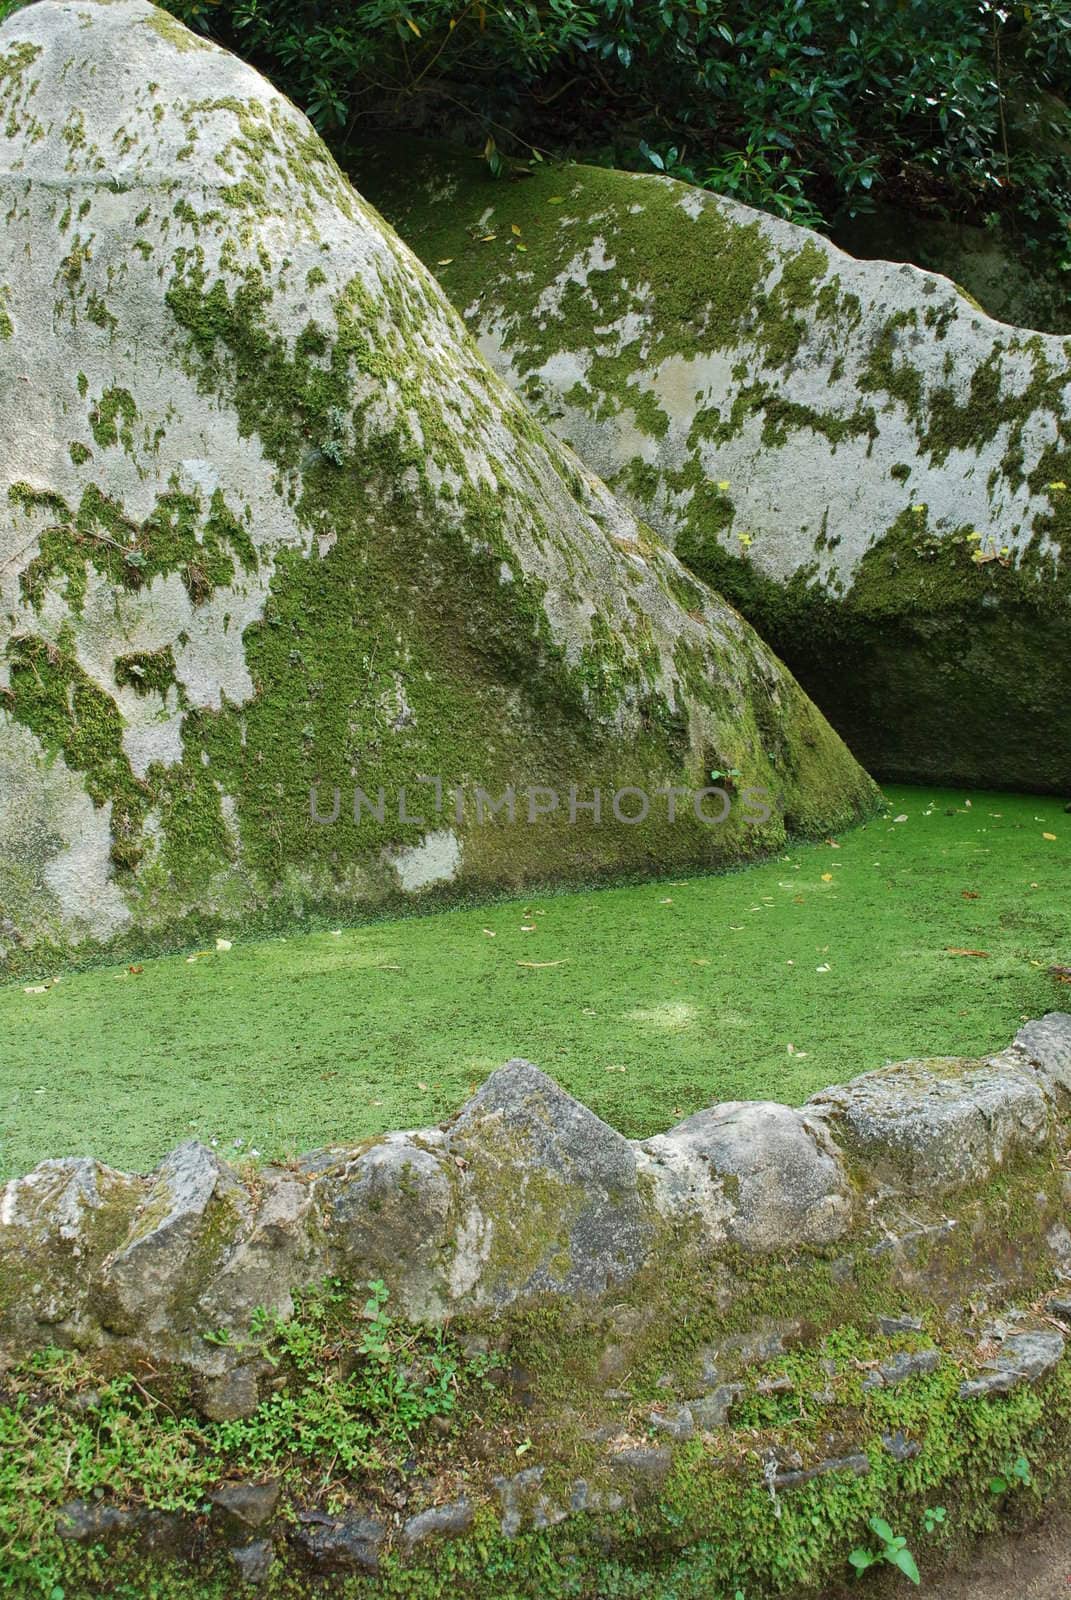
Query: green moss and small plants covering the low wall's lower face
[{"x": 713, "y": 1527}]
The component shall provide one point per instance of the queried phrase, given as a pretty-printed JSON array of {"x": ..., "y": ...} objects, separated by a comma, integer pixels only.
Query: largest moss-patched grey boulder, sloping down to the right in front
[{"x": 273, "y": 537}]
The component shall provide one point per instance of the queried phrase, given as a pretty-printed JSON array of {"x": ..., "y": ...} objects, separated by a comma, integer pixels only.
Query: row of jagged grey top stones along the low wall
[{"x": 523, "y": 1196}]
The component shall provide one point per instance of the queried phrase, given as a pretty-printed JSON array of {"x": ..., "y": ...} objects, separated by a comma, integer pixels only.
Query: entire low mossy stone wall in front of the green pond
[{"x": 713, "y": 1353}]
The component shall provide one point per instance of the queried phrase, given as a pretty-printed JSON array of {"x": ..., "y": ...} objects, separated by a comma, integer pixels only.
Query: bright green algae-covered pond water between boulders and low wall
[{"x": 644, "y": 1002}]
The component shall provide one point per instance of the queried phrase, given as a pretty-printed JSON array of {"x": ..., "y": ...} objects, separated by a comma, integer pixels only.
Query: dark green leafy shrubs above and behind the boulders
[{"x": 804, "y": 108}]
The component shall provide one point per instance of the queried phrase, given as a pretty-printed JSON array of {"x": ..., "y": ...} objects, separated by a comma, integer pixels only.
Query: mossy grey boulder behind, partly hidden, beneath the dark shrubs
[{"x": 875, "y": 471}]
